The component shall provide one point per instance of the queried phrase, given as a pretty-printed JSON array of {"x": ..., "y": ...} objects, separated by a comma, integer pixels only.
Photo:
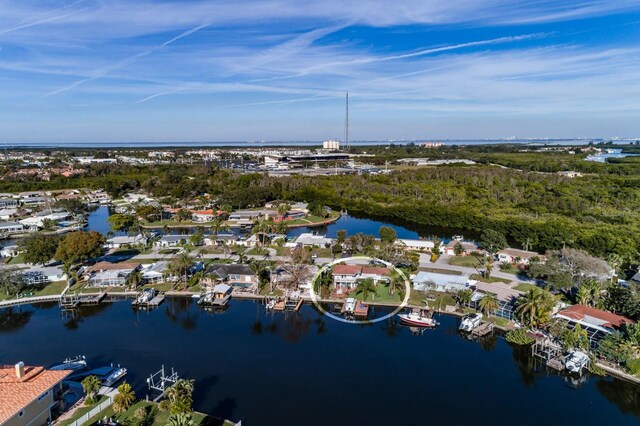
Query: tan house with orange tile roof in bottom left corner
[{"x": 28, "y": 395}]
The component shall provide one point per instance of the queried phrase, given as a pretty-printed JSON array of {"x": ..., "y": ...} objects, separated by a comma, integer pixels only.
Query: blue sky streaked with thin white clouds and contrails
[{"x": 122, "y": 70}]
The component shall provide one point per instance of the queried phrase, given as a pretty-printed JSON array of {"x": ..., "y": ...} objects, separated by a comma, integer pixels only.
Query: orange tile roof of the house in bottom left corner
[{"x": 16, "y": 393}]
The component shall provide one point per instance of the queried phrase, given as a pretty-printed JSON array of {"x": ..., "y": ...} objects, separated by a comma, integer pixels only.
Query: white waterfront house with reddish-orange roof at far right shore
[{"x": 596, "y": 322}]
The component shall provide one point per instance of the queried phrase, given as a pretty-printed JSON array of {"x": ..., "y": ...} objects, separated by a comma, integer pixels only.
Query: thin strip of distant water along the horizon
[{"x": 258, "y": 144}]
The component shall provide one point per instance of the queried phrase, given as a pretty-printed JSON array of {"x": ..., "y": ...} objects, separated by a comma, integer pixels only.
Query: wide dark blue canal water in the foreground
[{"x": 305, "y": 369}]
